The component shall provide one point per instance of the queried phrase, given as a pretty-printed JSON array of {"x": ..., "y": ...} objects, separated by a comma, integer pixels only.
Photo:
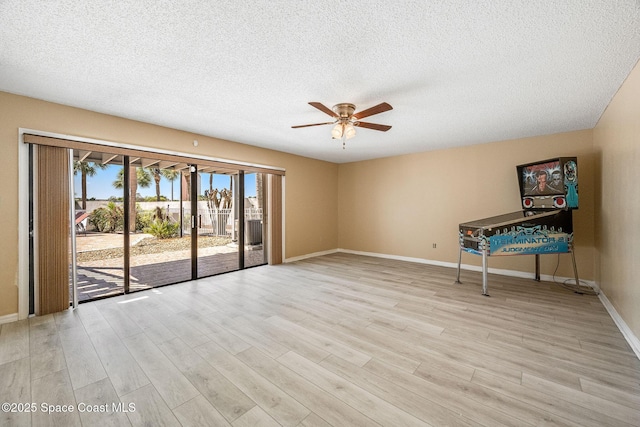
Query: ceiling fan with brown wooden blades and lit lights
[{"x": 346, "y": 120}]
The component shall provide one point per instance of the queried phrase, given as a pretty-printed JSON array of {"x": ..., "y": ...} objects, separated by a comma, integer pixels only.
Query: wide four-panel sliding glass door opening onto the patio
[{"x": 139, "y": 221}]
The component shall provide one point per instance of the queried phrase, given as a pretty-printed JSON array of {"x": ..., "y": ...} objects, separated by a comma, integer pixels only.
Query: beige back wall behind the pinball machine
[{"x": 402, "y": 205}]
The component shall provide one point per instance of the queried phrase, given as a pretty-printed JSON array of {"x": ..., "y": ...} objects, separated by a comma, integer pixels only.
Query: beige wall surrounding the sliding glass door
[{"x": 311, "y": 185}]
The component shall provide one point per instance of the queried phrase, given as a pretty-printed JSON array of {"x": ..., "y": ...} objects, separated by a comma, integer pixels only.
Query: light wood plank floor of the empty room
[{"x": 340, "y": 340}]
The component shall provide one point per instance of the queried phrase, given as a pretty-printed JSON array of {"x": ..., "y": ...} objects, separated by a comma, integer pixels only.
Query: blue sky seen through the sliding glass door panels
[{"x": 101, "y": 186}]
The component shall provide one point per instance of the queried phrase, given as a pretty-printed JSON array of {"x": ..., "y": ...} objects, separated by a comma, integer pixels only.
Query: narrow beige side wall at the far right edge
[{"x": 617, "y": 209}]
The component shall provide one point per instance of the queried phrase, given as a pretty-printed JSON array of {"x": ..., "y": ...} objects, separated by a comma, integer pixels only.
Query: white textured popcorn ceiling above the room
[{"x": 456, "y": 72}]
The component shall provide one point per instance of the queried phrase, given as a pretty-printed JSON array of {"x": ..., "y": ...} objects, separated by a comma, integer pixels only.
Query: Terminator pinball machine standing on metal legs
[{"x": 549, "y": 194}]
